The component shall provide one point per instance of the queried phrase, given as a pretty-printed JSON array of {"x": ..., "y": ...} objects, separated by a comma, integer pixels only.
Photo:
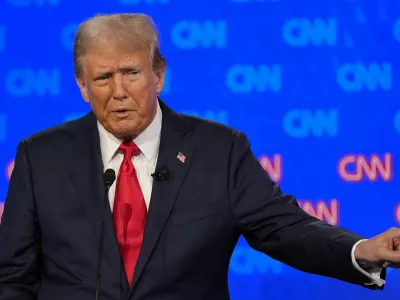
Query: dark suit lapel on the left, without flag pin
[{"x": 84, "y": 161}]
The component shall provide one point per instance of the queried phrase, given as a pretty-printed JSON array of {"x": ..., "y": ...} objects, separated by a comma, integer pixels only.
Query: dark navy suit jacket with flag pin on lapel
[{"x": 50, "y": 231}]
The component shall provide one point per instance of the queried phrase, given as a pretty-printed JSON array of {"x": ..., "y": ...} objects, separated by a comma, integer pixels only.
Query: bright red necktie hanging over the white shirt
[{"x": 130, "y": 211}]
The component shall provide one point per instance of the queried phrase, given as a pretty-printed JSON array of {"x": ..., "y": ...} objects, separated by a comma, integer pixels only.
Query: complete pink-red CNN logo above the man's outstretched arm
[{"x": 356, "y": 168}]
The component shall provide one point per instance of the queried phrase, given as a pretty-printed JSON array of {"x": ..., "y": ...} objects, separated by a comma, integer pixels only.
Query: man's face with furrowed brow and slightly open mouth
[{"x": 121, "y": 87}]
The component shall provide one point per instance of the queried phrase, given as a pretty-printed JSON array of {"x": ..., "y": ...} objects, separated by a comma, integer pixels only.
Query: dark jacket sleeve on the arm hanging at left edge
[{"x": 19, "y": 235}]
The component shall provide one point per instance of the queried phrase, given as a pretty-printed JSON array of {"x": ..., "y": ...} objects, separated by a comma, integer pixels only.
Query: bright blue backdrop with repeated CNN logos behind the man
[{"x": 314, "y": 84}]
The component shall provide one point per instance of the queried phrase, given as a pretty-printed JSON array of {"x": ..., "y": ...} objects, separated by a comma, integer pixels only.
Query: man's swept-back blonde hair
[{"x": 134, "y": 30}]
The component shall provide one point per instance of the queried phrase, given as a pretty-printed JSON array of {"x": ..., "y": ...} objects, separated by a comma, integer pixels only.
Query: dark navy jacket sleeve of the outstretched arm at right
[{"x": 273, "y": 223}]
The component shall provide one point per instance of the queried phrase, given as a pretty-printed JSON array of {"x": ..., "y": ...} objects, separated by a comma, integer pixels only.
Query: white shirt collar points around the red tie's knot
[{"x": 147, "y": 141}]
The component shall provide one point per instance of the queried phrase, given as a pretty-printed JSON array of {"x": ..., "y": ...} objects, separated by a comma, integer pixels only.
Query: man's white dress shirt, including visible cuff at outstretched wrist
[{"x": 145, "y": 163}]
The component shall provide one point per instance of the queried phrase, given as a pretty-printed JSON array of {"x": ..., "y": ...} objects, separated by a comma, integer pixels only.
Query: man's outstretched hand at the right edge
[{"x": 380, "y": 251}]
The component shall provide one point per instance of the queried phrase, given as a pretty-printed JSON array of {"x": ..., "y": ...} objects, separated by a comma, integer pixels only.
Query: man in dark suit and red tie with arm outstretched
[{"x": 167, "y": 239}]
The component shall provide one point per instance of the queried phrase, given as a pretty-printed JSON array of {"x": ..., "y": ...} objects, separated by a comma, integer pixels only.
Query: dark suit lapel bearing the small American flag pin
[{"x": 173, "y": 141}]
